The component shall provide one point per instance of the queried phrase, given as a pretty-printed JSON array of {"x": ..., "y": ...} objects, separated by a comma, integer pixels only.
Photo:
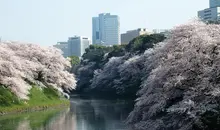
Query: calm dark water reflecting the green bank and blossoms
[{"x": 83, "y": 114}]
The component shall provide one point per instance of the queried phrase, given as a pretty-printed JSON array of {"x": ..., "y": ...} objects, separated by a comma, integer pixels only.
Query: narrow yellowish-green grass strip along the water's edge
[{"x": 26, "y": 108}]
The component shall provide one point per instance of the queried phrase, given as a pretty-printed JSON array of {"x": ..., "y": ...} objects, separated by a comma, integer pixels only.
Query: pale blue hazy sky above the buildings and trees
[{"x": 45, "y": 22}]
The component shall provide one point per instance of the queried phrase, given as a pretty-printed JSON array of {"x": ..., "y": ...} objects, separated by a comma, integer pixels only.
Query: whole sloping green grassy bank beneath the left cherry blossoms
[{"x": 40, "y": 99}]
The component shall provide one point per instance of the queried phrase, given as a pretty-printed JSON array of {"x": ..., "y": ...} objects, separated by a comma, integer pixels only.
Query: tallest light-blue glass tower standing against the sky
[{"x": 106, "y": 30}]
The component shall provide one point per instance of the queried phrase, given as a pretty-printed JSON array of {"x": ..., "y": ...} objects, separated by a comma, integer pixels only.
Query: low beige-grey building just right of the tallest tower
[{"x": 129, "y": 35}]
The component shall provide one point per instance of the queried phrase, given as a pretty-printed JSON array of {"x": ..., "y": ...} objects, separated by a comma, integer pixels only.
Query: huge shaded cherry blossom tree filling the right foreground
[{"x": 181, "y": 86}]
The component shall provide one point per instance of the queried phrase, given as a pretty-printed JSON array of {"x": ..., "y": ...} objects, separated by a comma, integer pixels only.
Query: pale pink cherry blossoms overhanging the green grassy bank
[{"x": 22, "y": 65}]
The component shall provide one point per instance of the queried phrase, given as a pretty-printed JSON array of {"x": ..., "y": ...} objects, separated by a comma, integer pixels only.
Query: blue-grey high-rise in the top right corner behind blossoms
[{"x": 212, "y": 13}]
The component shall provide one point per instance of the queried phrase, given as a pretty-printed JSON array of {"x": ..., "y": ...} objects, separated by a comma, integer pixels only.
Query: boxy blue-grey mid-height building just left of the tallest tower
[{"x": 77, "y": 45}]
